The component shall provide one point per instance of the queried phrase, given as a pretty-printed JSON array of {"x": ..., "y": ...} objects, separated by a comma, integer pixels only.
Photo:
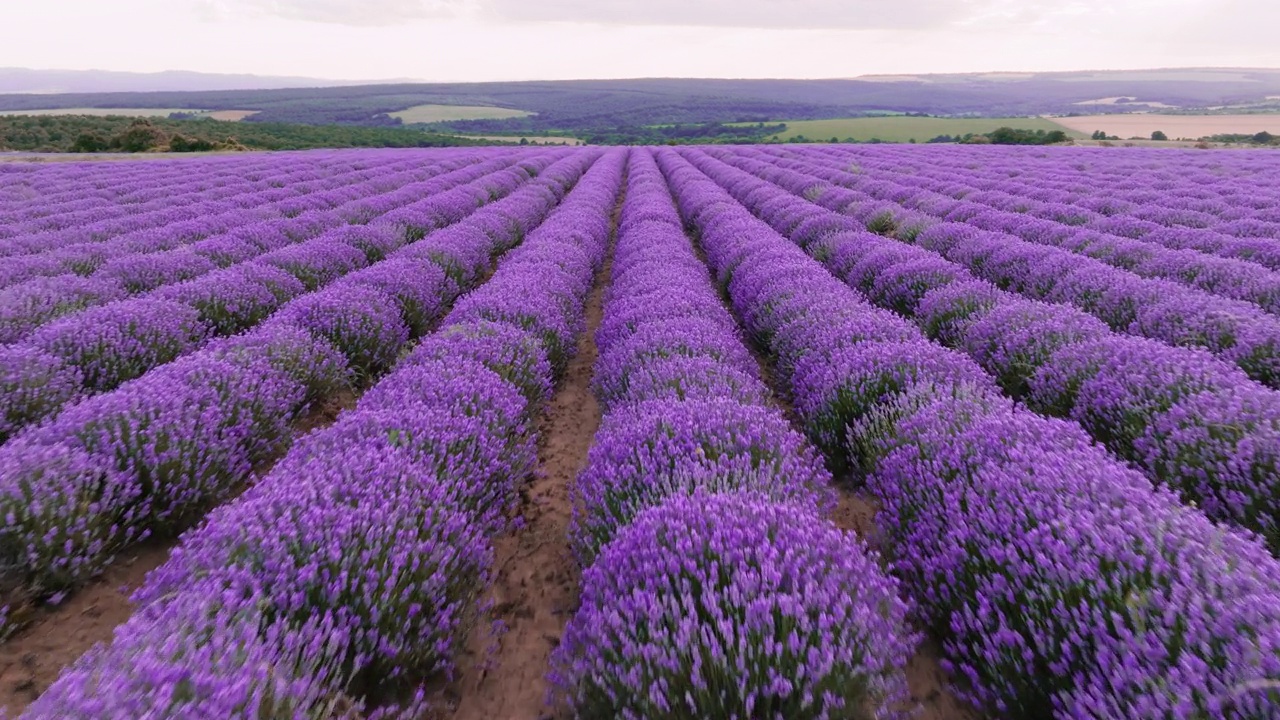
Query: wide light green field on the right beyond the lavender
[{"x": 900, "y": 129}]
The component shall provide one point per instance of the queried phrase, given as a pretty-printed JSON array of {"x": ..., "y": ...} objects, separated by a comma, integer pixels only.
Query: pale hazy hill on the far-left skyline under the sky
[{"x": 45, "y": 83}]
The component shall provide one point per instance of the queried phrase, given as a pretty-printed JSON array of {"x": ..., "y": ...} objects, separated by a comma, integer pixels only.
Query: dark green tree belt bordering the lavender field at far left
[{"x": 84, "y": 134}]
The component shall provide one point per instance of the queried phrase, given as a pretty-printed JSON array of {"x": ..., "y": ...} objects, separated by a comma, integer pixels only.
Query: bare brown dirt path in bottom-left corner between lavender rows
[{"x": 33, "y": 659}]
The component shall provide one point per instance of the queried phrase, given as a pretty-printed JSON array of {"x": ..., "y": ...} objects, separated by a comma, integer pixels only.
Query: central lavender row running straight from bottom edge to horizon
[{"x": 714, "y": 586}]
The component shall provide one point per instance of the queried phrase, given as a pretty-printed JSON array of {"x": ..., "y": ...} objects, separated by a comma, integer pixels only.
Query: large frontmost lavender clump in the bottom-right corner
[{"x": 1073, "y": 619}]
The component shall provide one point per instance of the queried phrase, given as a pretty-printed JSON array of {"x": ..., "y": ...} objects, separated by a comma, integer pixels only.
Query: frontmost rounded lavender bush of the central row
[{"x": 734, "y": 607}]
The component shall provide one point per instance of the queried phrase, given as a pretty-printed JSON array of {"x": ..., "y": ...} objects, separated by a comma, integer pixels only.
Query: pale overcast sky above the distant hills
[{"x": 486, "y": 40}]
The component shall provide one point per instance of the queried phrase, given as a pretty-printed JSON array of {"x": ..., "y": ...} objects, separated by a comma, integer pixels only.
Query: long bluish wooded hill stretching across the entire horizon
[{"x": 588, "y": 106}]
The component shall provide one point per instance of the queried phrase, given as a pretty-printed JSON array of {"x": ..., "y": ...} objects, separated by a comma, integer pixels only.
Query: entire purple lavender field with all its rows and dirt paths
[{"x": 747, "y": 432}]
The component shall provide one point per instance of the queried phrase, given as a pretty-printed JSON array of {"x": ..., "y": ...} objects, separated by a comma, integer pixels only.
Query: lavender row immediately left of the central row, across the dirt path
[{"x": 354, "y": 569}]
